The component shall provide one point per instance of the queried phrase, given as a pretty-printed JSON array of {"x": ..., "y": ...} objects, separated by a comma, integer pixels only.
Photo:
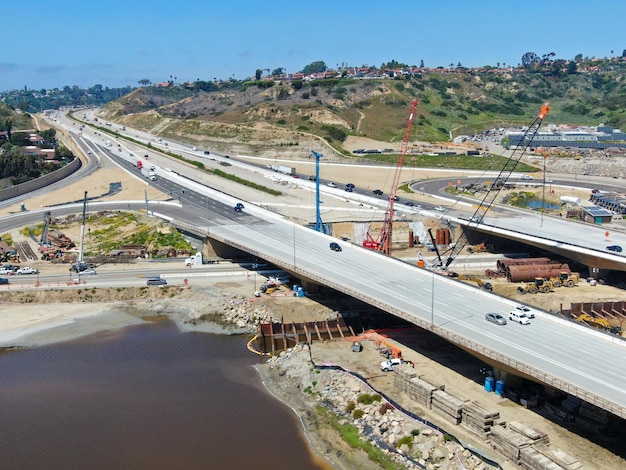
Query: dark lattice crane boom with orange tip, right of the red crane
[{"x": 500, "y": 180}]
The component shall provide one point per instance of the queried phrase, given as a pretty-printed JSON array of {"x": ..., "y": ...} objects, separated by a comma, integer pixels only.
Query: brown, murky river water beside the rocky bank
[{"x": 147, "y": 396}]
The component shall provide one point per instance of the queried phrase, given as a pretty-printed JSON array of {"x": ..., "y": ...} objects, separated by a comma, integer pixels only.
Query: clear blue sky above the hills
[{"x": 48, "y": 44}]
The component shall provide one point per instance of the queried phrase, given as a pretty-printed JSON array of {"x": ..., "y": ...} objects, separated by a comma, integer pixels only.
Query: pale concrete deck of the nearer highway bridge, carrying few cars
[{"x": 549, "y": 350}]
